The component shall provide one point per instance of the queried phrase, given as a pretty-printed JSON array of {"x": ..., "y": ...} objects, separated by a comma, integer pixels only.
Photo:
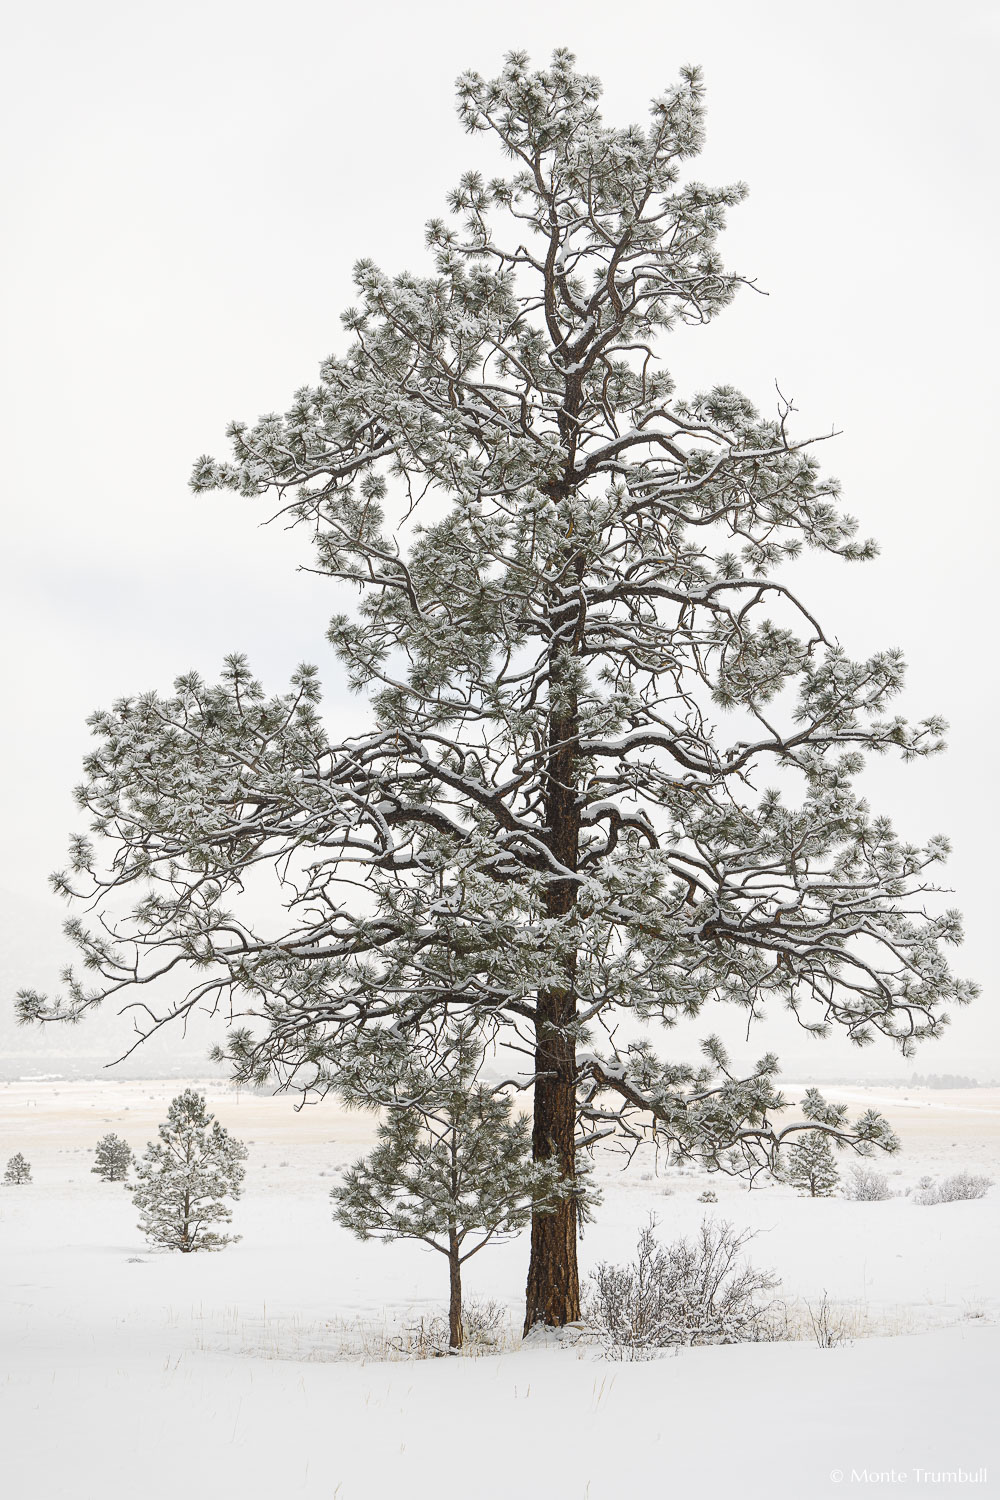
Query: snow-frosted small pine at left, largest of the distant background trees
[{"x": 185, "y": 1178}]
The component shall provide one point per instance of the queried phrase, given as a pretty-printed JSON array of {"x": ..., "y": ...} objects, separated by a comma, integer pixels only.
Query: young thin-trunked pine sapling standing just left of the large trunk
[{"x": 452, "y": 1166}]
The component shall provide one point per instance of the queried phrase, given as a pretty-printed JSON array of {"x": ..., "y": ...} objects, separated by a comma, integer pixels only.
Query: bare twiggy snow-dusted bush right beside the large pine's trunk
[{"x": 680, "y": 1294}]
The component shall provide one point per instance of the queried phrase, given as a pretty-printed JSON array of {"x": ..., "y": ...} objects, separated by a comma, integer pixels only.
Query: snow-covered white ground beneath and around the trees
[{"x": 128, "y": 1373}]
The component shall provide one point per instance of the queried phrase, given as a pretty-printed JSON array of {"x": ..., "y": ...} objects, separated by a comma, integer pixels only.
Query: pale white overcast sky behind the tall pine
[{"x": 187, "y": 188}]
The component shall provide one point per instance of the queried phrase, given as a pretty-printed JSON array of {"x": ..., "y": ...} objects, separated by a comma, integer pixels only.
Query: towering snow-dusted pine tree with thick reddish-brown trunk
[{"x": 611, "y": 760}]
